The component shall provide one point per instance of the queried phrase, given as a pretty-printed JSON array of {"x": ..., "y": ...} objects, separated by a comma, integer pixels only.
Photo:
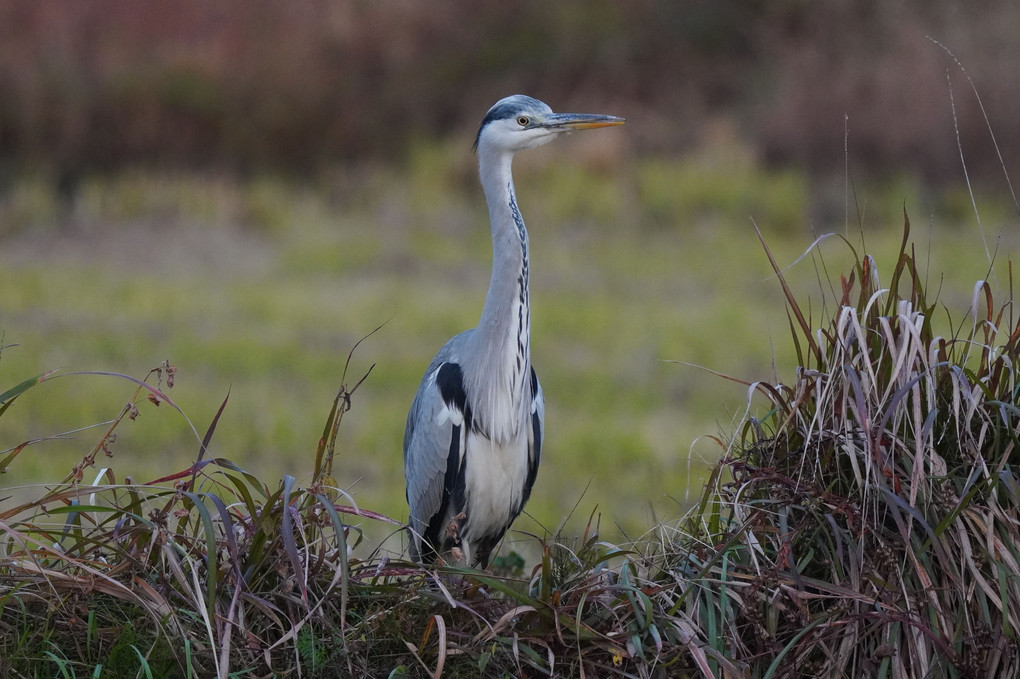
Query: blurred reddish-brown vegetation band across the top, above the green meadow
[{"x": 295, "y": 87}]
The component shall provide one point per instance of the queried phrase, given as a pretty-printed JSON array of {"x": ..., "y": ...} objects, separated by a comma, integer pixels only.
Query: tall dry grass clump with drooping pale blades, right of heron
[{"x": 866, "y": 524}]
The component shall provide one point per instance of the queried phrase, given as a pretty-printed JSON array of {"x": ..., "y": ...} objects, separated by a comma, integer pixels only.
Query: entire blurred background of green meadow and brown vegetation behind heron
[{"x": 248, "y": 188}]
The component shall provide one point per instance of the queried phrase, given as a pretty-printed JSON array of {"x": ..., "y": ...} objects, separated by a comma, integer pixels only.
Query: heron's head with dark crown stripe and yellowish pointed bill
[{"x": 519, "y": 122}]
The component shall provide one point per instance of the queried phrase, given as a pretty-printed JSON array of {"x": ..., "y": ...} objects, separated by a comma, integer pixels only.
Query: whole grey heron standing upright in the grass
[{"x": 474, "y": 436}]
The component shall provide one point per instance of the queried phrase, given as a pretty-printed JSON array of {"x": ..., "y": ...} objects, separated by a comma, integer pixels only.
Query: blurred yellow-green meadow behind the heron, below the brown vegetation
[{"x": 649, "y": 288}]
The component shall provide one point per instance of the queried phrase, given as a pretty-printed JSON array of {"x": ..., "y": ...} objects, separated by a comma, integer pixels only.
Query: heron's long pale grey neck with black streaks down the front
[{"x": 502, "y": 341}]
